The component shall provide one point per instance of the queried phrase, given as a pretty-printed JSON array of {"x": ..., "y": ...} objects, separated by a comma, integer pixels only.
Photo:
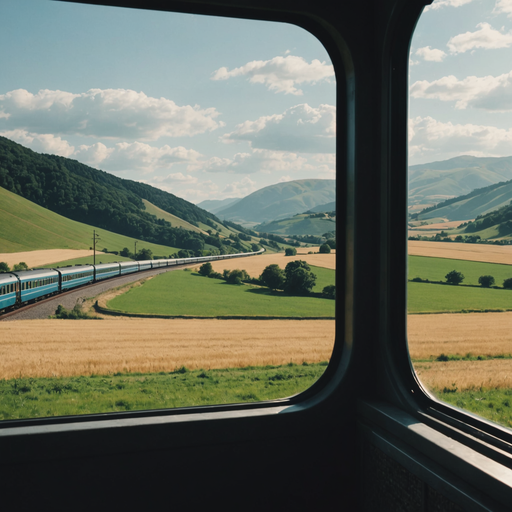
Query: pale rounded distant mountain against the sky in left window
[{"x": 280, "y": 201}]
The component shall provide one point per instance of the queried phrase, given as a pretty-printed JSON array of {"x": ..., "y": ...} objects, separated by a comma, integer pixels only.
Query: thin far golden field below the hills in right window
[{"x": 471, "y": 252}]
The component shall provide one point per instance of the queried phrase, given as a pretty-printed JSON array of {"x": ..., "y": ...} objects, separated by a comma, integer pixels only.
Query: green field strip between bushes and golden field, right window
[{"x": 426, "y": 297}]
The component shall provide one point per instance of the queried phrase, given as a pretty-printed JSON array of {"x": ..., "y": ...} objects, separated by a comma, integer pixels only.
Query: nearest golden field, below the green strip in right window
[{"x": 459, "y": 333}]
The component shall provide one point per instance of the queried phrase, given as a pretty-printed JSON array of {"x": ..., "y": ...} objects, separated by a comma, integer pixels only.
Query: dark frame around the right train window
[{"x": 406, "y": 391}]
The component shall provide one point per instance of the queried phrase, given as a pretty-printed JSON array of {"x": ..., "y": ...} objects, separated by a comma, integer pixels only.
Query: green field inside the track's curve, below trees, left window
[{"x": 186, "y": 293}]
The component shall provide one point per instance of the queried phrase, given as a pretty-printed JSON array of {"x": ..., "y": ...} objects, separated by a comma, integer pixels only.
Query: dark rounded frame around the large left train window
[{"x": 341, "y": 355}]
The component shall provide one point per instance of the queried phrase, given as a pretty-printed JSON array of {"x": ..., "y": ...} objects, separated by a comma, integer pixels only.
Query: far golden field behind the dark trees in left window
[{"x": 255, "y": 265}]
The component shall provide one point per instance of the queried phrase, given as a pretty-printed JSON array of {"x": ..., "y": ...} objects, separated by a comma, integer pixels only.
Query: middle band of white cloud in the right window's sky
[{"x": 487, "y": 92}]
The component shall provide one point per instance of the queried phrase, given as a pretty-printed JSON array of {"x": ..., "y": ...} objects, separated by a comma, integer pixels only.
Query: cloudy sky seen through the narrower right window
[{"x": 460, "y": 80}]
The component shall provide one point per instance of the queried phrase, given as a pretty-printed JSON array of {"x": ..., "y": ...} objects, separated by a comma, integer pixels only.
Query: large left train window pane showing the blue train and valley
[{"x": 208, "y": 109}]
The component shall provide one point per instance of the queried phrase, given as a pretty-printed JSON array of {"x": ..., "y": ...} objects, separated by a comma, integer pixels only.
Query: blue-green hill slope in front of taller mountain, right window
[{"x": 478, "y": 202}]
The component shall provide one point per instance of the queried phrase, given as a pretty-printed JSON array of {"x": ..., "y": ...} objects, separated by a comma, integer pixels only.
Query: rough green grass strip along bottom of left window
[{"x": 43, "y": 397}]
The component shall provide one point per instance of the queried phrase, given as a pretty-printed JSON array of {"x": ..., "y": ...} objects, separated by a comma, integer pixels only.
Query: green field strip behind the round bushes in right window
[{"x": 435, "y": 269}]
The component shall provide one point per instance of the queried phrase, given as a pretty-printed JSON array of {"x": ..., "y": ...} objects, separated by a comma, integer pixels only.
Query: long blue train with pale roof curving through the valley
[{"x": 20, "y": 288}]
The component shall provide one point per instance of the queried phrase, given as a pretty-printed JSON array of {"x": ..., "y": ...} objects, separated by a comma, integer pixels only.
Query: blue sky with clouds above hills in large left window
[{"x": 202, "y": 107}]
